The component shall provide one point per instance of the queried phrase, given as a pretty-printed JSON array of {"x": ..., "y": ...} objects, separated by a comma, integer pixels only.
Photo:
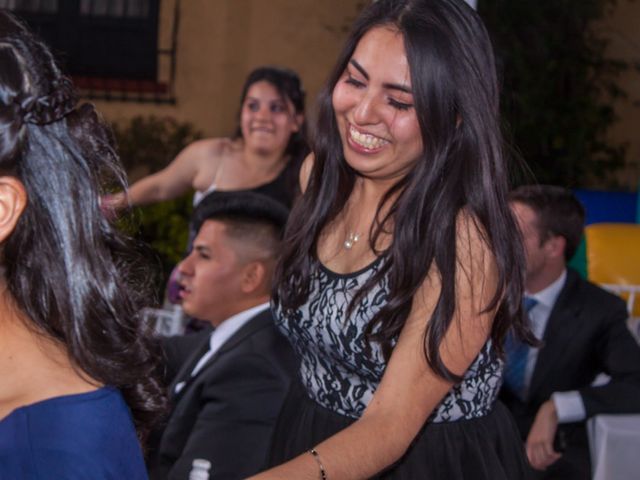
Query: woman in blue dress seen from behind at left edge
[{"x": 78, "y": 388}]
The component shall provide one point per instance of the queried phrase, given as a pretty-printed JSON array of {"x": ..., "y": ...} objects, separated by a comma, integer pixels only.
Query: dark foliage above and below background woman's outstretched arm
[{"x": 146, "y": 145}]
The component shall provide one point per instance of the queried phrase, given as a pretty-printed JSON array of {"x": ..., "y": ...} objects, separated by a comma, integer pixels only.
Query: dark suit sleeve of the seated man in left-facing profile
[{"x": 256, "y": 389}]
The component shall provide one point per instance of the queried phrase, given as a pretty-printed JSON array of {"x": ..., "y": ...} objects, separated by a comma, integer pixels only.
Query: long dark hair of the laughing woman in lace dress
[{"x": 455, "y": 95}]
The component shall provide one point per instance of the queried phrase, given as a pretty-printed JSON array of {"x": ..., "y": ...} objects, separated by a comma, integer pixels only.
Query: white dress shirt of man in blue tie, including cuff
[{"x": 569, "y": 405}]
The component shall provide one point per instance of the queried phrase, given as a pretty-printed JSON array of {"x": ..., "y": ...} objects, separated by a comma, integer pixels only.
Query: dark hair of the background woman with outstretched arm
[{"x": 288, "y": 84}]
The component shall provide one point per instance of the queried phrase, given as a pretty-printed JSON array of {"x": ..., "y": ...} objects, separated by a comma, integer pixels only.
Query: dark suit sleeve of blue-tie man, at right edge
[{"x": 619, "y": 356}]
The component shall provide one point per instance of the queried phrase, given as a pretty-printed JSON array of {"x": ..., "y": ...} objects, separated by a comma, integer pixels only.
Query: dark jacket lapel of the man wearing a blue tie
[{"x": 559, "y": 330}]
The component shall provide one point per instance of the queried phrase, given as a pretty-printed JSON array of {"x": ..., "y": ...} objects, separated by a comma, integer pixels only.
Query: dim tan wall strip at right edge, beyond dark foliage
[{"x": 622, "y": 29}]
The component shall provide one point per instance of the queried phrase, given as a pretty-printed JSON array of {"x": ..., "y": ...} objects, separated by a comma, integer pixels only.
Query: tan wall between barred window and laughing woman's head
[{"x": 220, "y": 41}]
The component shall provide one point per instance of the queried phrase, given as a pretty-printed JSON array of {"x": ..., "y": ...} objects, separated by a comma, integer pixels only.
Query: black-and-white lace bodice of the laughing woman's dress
[{"x": 341, "y": 372}]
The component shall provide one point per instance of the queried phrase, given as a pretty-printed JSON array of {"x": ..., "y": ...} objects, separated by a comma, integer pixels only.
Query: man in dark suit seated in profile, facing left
[{"x": 230, "y": 382}]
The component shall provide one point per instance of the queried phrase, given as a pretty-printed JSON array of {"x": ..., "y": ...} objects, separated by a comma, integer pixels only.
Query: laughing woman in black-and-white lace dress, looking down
[{"x": 403, "y": 267}]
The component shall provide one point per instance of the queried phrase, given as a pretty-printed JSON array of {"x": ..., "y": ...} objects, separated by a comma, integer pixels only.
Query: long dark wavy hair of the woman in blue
[{"x": 74, "y": 276}]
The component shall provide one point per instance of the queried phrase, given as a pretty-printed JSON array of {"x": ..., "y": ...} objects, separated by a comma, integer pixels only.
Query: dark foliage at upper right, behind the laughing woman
[{"x": 558, "y": 87}]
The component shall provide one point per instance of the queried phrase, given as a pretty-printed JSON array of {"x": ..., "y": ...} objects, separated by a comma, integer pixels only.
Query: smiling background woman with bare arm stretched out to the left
[{"x": 264, "y": 155}]
